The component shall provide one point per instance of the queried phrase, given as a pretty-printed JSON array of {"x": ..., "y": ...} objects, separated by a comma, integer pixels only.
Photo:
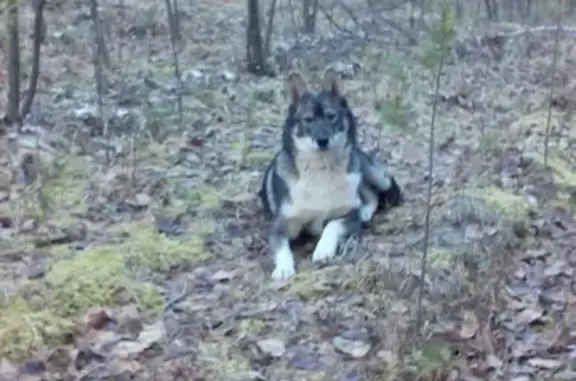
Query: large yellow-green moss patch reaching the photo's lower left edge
[{"x": 46, "y": 311}]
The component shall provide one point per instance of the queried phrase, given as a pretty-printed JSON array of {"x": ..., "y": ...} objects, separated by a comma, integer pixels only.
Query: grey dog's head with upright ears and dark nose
[{"x": 317, "y": 121}]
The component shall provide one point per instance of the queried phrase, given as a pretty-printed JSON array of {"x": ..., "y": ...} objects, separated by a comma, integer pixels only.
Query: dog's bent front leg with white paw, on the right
[{"x": 334, "y": 232}]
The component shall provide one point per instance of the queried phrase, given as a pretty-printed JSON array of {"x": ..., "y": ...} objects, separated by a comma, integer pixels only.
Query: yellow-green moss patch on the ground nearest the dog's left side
[{"x": 145, "y": 247}]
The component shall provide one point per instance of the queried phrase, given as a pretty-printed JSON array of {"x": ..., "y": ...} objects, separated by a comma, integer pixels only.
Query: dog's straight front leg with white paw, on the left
[{"x": 283, "y": 255}]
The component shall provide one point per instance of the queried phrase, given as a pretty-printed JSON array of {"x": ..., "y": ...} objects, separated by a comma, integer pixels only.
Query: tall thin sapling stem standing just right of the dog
[{"x": 431, "y": 148}]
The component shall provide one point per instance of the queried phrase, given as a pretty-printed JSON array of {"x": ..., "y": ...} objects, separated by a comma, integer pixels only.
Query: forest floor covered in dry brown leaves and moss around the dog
[{"x": 152, "y": 264}]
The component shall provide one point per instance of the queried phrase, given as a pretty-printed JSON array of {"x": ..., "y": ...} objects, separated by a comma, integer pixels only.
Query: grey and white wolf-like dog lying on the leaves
[{"x": 320, "y": 181}]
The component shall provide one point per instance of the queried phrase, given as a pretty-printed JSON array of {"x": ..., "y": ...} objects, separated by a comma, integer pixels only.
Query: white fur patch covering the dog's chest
[{"x": 322, "y": 192}]
